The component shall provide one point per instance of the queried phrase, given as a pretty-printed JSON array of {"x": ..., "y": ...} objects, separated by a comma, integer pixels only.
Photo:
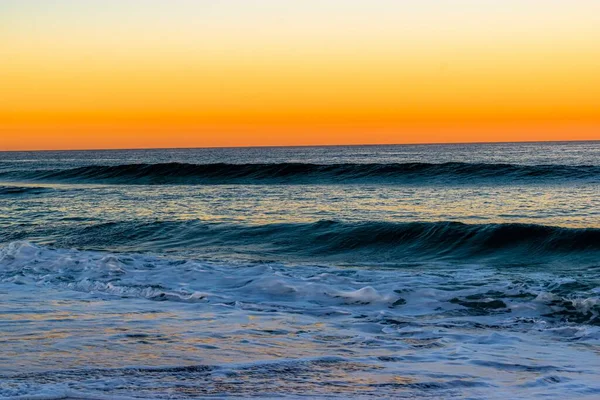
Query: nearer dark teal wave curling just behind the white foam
[{"x": 330, "y": 240}]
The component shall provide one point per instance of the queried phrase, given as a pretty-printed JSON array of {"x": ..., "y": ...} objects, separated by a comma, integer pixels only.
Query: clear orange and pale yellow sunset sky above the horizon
[{"x": 182, "y": 73}]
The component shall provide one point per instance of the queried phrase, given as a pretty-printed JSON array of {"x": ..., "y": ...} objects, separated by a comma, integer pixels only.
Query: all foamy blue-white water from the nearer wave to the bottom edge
[{"x": 107, "y": 325}]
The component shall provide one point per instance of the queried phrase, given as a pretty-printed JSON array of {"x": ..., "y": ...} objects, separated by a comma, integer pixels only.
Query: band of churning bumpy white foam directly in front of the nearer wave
[{"x": 415, "y": 291}]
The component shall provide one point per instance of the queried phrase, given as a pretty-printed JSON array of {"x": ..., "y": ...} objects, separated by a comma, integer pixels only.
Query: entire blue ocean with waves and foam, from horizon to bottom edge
[{"x": 409, "y": 271}]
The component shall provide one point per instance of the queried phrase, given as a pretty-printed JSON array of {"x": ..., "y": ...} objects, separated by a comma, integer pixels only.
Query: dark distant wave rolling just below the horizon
[{"x": 299, "y": 173}]
